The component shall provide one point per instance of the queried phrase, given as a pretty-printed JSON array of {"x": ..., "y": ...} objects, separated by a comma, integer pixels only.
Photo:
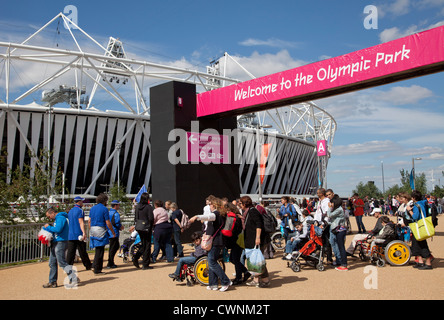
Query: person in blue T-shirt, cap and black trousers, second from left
[{"x": 77, "y": 234}]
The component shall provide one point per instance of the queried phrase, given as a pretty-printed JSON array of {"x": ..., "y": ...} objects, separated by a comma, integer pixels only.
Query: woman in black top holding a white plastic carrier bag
[{"x": 255, "y": 237}]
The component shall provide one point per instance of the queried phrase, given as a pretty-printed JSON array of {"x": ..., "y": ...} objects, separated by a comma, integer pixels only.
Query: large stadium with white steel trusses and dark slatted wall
[{"x": 88, "y": 103}]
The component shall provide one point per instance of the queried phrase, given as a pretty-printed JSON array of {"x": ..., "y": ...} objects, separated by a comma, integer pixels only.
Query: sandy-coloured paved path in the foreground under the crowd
[{"x": 126, "y": 282}]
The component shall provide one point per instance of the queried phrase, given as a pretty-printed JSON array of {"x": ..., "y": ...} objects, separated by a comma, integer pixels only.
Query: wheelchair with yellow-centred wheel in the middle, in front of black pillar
[{"x": 197, "y": 272}]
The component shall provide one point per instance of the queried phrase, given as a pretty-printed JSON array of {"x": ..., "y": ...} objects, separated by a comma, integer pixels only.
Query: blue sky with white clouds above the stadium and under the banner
[{"x": 389, "y": 124}]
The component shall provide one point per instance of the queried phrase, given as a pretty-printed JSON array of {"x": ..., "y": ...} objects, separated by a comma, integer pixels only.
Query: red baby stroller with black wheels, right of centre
[{"x": 312, "y": 252}]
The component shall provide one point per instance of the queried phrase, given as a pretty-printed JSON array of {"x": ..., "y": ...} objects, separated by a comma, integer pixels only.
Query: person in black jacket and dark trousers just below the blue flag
[{"x": 144, "y": 220}]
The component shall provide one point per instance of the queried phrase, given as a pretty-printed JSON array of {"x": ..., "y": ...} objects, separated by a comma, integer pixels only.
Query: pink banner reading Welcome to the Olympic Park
[{"x": 422, "y": 52}]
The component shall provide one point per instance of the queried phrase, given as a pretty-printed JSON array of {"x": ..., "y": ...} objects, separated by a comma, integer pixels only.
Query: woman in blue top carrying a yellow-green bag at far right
[{"x": 420, "y": 249}]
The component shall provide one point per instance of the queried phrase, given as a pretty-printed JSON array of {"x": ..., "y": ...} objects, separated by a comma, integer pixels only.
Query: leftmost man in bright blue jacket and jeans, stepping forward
[{"x": 60, "y": 232}]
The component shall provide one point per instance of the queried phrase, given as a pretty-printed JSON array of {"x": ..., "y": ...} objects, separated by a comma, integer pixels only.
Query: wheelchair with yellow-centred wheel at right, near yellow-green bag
[{"x": 396, "y": 253}]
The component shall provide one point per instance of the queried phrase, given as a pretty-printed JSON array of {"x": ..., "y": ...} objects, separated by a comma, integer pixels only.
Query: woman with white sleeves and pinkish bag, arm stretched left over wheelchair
[{"x": 213, "y": 237}]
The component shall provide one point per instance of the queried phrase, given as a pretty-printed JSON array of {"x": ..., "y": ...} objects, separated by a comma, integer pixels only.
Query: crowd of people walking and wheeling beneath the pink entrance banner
[{"x": 162, "y": 224}]
